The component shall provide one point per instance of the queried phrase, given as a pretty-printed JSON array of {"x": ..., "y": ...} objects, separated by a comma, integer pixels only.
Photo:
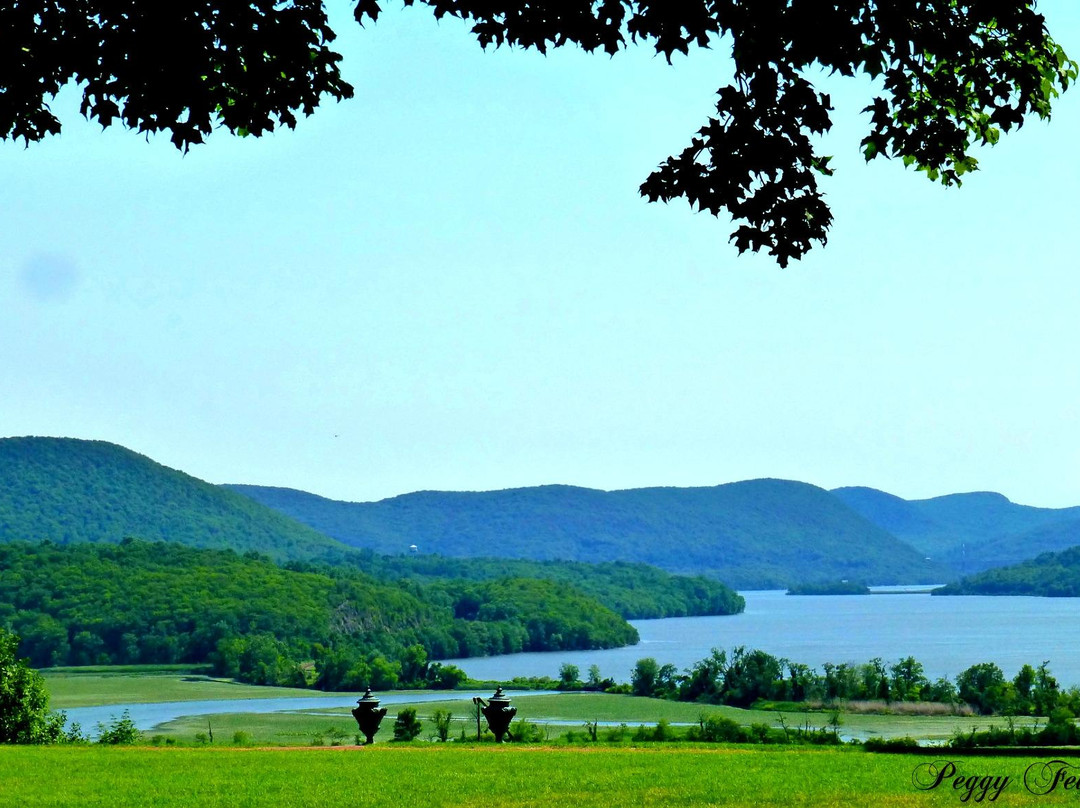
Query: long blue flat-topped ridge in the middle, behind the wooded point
[{"x": 762, "y": 533}]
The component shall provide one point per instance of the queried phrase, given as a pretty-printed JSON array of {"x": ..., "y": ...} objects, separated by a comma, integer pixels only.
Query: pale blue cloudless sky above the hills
[{"x": 451, "y": 282}]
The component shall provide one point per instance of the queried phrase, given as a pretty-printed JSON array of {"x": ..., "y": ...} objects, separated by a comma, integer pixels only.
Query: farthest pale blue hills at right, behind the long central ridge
[{"x": 968, "y": 532}]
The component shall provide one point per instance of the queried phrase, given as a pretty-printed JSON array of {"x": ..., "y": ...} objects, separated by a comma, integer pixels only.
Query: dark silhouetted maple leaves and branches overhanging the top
[{"x": 951, "y": 75}]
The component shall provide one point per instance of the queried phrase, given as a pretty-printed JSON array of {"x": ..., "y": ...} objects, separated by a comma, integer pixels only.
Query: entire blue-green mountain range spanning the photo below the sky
[{"x": 755, "y": 534}]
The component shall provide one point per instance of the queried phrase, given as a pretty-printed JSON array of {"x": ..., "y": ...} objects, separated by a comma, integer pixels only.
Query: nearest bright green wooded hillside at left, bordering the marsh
[{"x": 142, "y": 602}]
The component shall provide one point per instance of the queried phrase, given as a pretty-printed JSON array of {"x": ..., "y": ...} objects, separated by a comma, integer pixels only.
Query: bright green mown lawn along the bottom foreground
[{"x": 467, "y": 777}]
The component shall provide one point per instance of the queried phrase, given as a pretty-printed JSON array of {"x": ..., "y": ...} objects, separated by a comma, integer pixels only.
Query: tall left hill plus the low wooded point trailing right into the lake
[{"x": 72, "y": 492}]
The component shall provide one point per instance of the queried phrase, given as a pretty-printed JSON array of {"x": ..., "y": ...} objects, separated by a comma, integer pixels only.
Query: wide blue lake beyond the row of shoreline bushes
[{"x": 947, "y": 635}]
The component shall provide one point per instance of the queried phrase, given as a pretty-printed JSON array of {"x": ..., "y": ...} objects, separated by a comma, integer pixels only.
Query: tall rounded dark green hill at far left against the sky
[{"x": 70, "y": 491}]
